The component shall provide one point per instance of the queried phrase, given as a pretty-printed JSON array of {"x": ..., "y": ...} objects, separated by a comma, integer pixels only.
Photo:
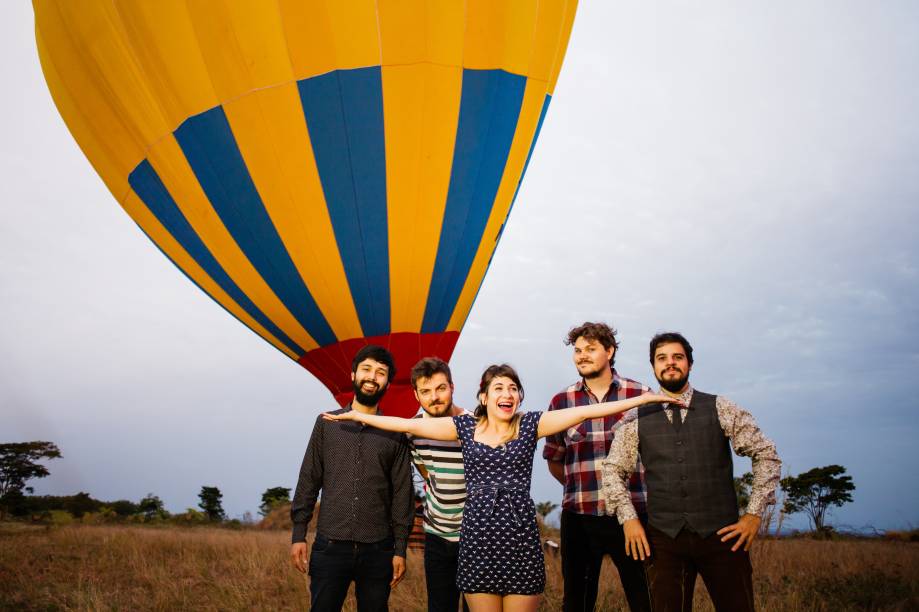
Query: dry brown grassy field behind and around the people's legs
[{"x": 142, "y": 568}]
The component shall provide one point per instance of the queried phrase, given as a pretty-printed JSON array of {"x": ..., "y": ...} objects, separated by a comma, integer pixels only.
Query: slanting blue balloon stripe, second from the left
[{"x": 211, "y": 150}]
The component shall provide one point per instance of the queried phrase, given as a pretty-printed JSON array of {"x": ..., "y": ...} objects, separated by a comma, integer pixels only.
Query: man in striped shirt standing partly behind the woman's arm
[{"x": 441, "y": 465}]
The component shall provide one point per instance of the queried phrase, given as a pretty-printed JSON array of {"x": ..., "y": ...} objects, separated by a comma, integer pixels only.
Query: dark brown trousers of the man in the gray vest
[{"x": 675, "y": 562}]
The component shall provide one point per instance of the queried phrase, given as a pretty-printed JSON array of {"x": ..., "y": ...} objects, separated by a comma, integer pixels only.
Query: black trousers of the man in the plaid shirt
[{"x": 586, "y": 539}]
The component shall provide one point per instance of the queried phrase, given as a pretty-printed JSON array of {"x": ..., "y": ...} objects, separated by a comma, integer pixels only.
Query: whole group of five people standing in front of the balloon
[{"x": 648, "y": 480}]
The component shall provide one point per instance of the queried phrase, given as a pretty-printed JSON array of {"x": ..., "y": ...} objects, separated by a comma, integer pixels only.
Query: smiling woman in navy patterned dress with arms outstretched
[{"x": 501, "y": 563}]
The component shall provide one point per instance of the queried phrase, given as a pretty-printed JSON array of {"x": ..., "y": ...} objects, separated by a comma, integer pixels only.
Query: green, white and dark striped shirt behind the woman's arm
[{"x": 445, "y": 487}]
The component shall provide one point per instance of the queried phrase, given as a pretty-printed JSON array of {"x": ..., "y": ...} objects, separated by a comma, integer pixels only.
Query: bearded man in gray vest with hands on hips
[{"x": 694, "y": 525}]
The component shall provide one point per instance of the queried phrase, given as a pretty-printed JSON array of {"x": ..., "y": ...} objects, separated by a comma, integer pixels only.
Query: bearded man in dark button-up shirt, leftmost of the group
[{"x": 367, "y": 507}]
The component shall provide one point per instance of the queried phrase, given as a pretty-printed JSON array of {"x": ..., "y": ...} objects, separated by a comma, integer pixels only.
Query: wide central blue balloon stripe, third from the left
[{"x": 344, "y": 116}]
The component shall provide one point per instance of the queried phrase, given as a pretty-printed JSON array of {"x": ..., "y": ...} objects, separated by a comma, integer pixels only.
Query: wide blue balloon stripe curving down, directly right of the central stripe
[{"x": 489, "y": 110}]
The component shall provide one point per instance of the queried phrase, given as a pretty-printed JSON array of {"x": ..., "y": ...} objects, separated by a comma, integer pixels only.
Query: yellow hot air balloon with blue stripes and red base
[{"x": 332, "y": 173}]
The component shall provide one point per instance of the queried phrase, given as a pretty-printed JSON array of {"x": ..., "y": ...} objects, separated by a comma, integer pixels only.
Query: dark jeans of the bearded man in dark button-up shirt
[{"x": 334, "y": 564}]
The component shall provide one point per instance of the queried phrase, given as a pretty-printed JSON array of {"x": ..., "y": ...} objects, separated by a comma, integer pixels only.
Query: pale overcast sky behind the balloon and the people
[{"x": 746, "y": 173}]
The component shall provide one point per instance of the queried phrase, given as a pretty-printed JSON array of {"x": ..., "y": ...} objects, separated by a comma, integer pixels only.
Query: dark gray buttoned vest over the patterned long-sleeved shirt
[{"x": 689, "y": 470}]
